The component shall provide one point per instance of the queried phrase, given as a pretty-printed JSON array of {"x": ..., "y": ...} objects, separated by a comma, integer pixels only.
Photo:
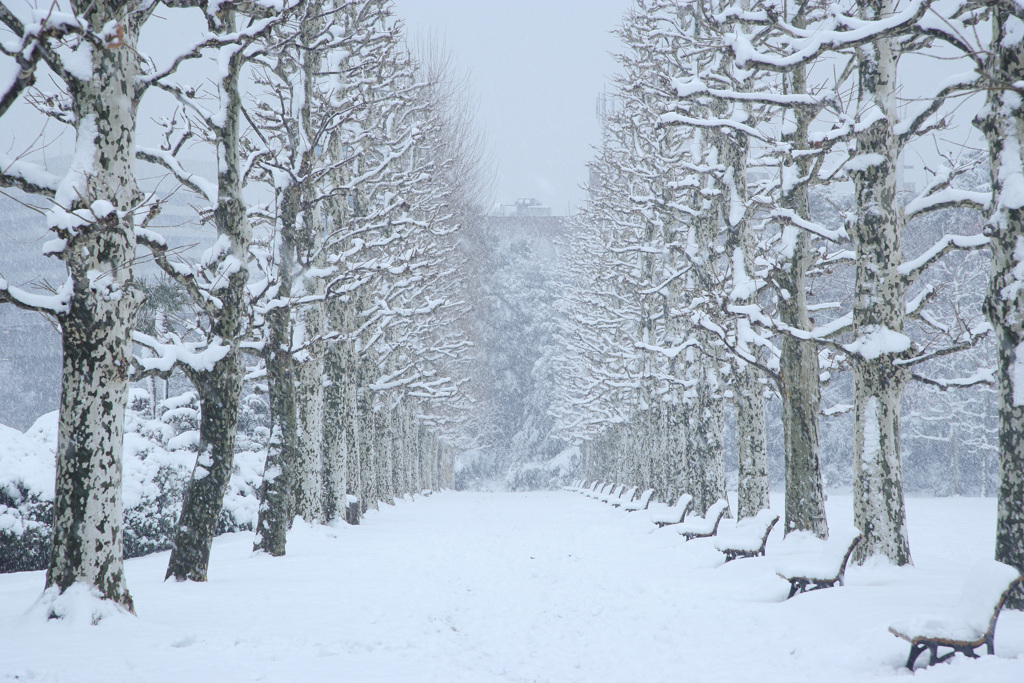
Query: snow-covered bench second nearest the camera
[{"x": 822, "y": 564}]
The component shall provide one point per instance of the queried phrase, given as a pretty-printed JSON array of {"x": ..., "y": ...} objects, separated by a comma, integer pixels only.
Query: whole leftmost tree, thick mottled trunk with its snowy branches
[{"x": 94, "y": 53}]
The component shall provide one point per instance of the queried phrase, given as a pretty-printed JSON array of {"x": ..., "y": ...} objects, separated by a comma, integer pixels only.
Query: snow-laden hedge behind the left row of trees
[{"x": 159, "y": 457}]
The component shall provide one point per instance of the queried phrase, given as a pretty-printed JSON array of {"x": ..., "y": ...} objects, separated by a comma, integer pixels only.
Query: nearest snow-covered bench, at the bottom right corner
[{"x": 970, "y": 625}]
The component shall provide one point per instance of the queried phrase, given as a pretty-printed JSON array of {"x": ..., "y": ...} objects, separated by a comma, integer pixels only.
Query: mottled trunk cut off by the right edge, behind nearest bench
[{"x": 1003, "y": 123}]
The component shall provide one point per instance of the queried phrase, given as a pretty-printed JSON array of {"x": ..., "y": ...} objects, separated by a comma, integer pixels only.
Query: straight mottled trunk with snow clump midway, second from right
[{"x": 879, "y": 308}]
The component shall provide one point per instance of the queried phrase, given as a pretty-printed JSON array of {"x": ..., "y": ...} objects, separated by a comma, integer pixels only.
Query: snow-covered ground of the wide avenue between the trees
[{"x": 515, "y": 587}]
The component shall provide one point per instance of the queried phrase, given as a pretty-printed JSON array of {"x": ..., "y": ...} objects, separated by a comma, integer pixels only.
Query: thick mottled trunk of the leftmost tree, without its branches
[{"x": 88, "y": 544}]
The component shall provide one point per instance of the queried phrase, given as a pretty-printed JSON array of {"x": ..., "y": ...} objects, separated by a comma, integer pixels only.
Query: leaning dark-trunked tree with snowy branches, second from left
[{"x": 218, "y": 284}]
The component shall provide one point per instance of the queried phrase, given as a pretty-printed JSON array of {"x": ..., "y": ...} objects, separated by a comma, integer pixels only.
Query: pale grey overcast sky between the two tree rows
[{"x": 538, "y": 68}]
